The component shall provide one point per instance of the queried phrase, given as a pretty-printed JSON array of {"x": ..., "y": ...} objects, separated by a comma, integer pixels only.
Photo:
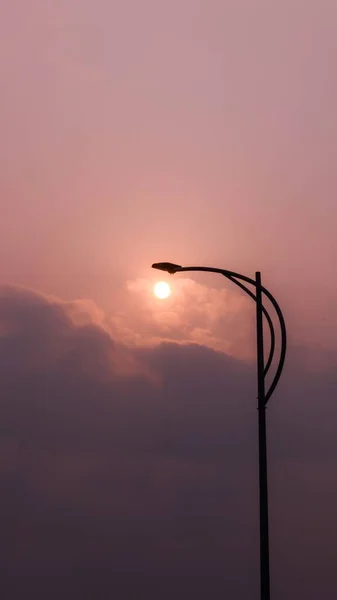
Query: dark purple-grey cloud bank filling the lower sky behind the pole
[{"x": 134, "y": 476}]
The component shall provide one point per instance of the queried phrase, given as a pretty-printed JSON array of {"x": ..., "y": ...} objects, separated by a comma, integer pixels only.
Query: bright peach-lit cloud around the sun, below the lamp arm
[{"x": 221, "y": 319}]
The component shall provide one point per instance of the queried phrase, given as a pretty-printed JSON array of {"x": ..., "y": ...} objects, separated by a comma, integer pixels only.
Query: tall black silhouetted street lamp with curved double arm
[{"x": 263, "y": 394}]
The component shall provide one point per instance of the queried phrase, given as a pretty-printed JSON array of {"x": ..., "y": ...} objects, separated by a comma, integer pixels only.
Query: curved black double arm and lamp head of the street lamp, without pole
[{"x": 232, "y": 276}]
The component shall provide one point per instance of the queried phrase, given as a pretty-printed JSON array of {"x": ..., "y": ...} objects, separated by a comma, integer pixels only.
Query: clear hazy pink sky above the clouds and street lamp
[{"x": 199, "y": 132}]
